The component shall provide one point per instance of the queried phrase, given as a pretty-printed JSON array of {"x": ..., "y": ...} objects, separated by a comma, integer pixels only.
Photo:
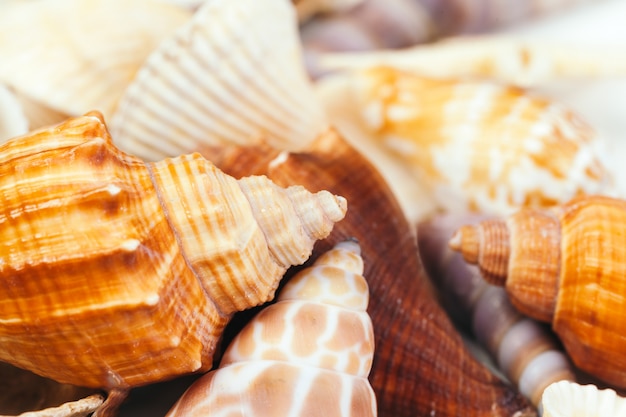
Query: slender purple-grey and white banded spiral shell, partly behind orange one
[{"x": 524, "y": 350}]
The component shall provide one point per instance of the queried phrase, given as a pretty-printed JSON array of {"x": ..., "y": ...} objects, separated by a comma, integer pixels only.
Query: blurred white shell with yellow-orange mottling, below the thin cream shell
[{"x": 470, "y": 145}]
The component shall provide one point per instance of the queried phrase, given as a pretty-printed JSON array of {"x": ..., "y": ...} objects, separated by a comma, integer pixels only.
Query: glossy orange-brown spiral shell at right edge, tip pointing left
[{"x": 565, "y": 266}]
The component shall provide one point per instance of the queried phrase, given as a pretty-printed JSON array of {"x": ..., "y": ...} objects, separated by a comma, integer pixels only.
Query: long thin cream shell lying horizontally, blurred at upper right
[{"x": 507, "y": 58}]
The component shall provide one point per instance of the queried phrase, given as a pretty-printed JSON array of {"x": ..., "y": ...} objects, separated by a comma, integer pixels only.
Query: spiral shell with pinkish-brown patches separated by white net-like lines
[{"x": 314, "y": 347}]
